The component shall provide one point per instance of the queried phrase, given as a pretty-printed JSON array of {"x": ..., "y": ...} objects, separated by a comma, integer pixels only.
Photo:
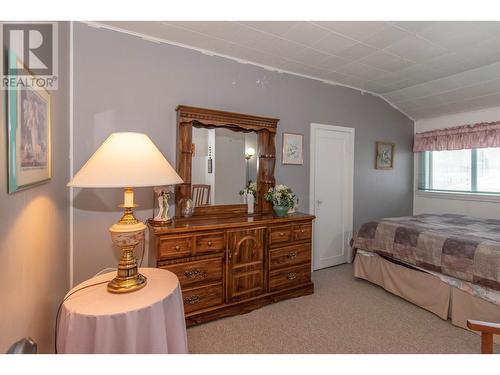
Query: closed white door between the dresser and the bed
[{"x": 331, "y": 190}]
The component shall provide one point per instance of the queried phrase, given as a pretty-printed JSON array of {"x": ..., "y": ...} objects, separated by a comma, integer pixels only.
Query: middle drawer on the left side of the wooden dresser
[{"x": 197, "y": 272}]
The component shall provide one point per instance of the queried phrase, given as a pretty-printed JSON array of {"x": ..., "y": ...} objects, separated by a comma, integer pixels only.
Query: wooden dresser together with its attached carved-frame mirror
[{"x": 228, "y": 261}]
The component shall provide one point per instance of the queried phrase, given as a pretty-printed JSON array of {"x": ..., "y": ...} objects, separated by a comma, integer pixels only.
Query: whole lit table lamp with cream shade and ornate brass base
[{"x": 126, "y": 160}]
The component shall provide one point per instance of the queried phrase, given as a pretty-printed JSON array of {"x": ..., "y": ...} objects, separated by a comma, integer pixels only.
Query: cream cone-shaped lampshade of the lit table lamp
[{"x": 126, "y": 160}]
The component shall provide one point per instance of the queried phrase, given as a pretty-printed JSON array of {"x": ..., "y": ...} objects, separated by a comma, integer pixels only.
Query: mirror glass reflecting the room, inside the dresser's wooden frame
[{"x": 224, "y": 162}]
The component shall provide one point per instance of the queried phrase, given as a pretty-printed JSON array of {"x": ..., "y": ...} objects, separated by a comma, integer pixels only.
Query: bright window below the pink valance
[{"x": 471, "y": 171}]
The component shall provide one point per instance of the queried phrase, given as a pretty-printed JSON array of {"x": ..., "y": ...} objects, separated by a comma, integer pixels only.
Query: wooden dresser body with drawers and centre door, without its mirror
[{"x": 232, "y": 265}]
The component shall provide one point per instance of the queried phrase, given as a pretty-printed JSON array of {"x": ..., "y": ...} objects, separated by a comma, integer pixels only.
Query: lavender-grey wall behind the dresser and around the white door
[{"x": 122, "y": 82}]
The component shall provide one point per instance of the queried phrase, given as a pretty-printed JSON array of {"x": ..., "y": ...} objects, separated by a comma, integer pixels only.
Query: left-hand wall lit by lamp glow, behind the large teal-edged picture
[{"x": 34, "y": 231}]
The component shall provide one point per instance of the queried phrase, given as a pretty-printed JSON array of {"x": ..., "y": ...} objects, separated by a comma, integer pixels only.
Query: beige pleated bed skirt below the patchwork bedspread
[{"x": 426, "y": 290}]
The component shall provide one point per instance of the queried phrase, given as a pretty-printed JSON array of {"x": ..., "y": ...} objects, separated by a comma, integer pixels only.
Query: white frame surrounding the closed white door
[{"x": 349, "y": 184}]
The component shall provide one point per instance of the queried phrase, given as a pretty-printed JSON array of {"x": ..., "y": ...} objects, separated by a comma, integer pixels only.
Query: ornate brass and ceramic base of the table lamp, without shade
[{"x": 127, "y": 234}]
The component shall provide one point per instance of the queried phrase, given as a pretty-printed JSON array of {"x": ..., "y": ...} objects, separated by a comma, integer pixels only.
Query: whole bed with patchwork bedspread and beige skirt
[{"x": 447, "y": 264}]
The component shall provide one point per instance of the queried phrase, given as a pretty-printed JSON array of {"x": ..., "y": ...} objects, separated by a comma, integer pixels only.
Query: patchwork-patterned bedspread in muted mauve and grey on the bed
[{"x": 460, "y": 246}]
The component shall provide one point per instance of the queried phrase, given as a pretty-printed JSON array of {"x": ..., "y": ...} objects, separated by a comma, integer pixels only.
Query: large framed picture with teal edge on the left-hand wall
[{"x": 29, "y": 145}]
